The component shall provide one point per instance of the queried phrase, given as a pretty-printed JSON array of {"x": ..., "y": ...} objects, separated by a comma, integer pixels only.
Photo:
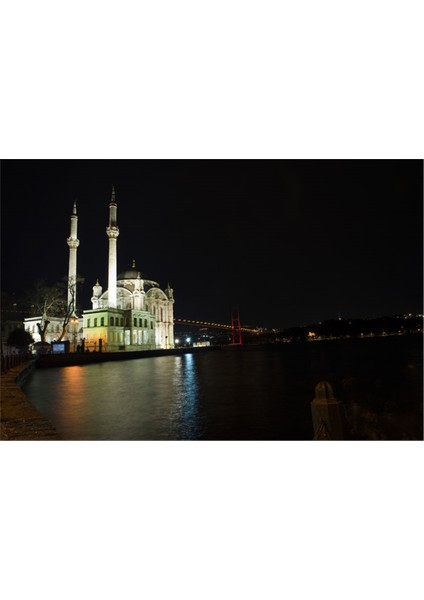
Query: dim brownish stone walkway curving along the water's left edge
[{"x": 20, "y": 420}]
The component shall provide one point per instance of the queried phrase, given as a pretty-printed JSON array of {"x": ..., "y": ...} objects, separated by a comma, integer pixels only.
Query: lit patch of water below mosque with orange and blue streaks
[{"x": 151, "y": 399}]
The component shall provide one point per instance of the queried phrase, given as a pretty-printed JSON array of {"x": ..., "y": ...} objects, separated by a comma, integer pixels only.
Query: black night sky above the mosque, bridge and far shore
[{"x": 288, "y": 241}]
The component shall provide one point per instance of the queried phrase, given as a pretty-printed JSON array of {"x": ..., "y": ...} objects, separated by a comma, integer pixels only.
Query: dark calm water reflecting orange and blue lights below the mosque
[{"x": 240, "y": 393}]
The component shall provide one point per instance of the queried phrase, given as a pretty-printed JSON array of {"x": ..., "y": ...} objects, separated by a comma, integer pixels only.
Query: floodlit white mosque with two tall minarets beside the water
[{"x": 132, "y": 314}]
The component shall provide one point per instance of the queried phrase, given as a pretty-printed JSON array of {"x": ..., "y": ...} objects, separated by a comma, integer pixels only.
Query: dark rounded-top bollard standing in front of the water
[{"x": 326, "y": 414}]
